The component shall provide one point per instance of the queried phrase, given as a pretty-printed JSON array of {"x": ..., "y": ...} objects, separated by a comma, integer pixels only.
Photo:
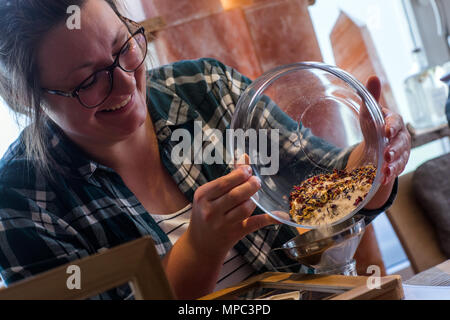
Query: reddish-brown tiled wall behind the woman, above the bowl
[{"x": 252, "y": 36}]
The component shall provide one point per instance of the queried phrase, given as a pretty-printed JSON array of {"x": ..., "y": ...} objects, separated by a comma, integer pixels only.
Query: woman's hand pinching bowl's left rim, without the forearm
[{"x": 221, "y": 213}]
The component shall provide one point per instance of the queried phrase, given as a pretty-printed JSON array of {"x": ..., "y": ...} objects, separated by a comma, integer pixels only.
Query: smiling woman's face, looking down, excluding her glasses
[{"x": 67, "y": 57}]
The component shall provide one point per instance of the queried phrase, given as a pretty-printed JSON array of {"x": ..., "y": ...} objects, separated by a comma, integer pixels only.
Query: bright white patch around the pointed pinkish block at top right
[{"x": 387, "y": 24}]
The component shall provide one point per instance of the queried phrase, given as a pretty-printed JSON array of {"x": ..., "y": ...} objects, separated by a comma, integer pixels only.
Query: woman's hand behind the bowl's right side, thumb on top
[{"x": 397, "y": 151}]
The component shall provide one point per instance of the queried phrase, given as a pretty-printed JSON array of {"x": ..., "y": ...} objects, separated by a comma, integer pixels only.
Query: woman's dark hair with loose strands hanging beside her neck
[{"x": 23, "y": 25}]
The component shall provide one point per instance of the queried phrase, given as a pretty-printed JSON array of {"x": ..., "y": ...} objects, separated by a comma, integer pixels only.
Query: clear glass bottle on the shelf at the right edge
[{"x": 426, "y": 93}]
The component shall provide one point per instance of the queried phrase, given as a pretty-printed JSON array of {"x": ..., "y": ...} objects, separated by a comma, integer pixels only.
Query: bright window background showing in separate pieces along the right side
[{"x": 388, "y": 26}]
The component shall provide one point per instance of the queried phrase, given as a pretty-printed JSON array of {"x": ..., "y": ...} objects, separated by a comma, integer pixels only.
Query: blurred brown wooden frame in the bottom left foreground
[{"x": 136, "y": 262}]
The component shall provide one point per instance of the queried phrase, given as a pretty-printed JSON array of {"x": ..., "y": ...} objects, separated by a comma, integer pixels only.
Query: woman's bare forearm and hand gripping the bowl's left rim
[{"x": 221, "y": 216}]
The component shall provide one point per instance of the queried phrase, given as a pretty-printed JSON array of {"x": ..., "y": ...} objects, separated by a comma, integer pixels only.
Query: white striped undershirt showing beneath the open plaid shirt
[{"x": 235, "y": 268}]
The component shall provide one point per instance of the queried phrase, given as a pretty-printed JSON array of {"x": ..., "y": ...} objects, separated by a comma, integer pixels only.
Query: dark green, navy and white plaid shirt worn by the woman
[{"x": 45, "y": 223}]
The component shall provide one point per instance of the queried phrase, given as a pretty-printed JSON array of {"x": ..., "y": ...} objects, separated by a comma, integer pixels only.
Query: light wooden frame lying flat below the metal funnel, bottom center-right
[{"x": 343, "y": 287}]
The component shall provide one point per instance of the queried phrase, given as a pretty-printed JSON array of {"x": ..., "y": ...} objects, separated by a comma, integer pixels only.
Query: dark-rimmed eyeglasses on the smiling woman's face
[{"x": 96, "y": 88}]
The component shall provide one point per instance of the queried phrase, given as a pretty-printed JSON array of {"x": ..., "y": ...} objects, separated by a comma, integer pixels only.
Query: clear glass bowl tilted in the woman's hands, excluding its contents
[{"x": 302, "y": 120}]
